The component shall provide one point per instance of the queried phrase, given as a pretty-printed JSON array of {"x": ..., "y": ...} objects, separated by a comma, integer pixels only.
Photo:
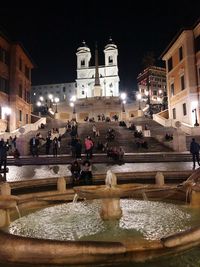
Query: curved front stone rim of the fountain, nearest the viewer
[{"x": 15, "y": 249}]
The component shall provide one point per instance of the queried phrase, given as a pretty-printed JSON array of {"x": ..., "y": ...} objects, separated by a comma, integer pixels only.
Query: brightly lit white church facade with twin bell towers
[{"x": 108, "y": 74}]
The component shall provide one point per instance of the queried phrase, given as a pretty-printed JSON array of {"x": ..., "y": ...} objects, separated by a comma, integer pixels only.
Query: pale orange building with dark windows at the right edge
[{"x": 182, "y": 58}]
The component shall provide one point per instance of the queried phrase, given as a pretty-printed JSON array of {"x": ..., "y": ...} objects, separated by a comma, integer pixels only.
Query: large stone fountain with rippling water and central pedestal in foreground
[{"x": 89, "y": 242}]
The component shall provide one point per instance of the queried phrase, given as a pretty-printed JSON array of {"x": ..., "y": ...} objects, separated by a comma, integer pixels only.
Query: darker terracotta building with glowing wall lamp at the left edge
[{"x": 15, "y": 85}]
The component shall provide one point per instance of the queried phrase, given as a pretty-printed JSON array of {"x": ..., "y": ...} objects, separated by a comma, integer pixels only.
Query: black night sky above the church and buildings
[{"x": 52, "y": 33}]
